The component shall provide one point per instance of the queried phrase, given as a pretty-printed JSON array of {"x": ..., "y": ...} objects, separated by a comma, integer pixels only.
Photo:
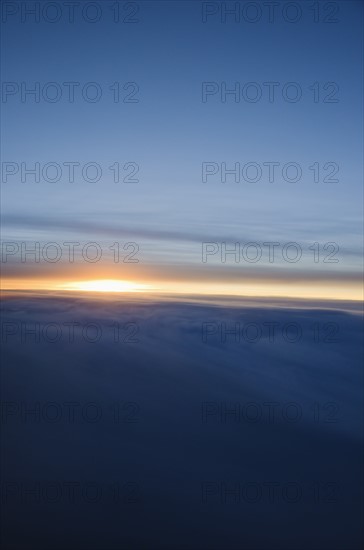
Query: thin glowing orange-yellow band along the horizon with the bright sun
[{"x": 324, "y": 290}]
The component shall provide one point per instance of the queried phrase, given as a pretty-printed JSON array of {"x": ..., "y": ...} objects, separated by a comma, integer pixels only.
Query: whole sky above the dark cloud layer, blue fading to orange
[{"x": 172, "y": 133}]
